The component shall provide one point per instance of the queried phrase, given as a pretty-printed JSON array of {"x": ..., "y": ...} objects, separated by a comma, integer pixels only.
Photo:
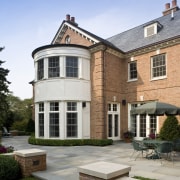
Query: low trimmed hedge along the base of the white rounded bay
[{"x": 69, "y": 142}]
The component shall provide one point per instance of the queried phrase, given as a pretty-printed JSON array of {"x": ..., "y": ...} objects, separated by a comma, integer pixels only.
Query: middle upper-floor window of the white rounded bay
[{"x": 53, "y": 67}]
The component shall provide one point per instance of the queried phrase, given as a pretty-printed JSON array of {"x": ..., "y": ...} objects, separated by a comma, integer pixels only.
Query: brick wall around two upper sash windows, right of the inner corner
[{"x": 166, "y": 90}]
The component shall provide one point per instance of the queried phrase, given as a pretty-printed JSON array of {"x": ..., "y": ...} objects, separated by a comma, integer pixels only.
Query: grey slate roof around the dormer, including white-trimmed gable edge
[{"x": 134, "y": 39}]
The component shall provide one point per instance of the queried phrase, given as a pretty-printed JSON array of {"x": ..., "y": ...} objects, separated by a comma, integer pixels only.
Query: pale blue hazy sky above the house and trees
[{"x": 28, "y": 24}]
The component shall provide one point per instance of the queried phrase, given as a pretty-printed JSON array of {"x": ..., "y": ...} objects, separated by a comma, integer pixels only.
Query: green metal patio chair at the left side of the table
[{"x": 139, "y": 148}]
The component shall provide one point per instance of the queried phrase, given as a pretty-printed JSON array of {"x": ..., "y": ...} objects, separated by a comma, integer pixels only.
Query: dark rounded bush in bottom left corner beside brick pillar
[{"x": 9, "y": 168}]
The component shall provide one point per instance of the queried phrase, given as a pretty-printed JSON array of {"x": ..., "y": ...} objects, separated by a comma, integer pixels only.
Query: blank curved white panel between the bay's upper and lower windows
[{"x": 62, "y": 89}]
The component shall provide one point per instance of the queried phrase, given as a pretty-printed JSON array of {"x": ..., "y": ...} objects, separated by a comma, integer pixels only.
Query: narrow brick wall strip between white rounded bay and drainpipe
[{"x": 98, "y": 124}]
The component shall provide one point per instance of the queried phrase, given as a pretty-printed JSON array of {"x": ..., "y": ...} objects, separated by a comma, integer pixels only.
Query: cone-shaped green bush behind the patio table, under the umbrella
[{"x": 170, "y": 129}]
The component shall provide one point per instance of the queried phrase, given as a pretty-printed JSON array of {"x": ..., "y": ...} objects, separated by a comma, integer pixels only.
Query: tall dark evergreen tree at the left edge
[{"x": 3, "y": 91}]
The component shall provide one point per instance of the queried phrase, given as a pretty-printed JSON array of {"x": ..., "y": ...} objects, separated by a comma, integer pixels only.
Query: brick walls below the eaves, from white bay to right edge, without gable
[{"x": 116, "y": 84}]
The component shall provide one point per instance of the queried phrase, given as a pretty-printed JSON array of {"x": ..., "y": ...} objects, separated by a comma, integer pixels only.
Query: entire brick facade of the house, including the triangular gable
[{"x": 109, "y": 76}]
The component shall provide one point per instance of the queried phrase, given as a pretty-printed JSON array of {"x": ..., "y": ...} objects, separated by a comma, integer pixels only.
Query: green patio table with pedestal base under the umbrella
[{"x": 153, "y": 144}]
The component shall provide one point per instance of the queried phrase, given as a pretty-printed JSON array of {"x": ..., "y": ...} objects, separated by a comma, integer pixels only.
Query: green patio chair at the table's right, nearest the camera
[{"x": 165, "y": 149}]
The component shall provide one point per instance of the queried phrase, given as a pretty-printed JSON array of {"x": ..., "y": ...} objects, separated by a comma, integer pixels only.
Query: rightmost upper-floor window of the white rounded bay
[{"x": 71, "y": 66}]
